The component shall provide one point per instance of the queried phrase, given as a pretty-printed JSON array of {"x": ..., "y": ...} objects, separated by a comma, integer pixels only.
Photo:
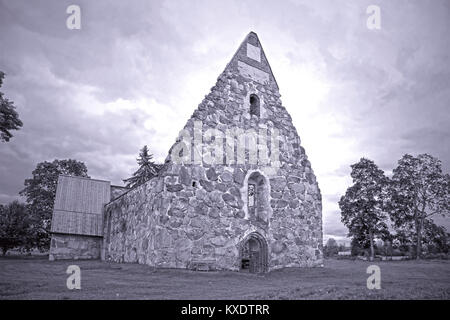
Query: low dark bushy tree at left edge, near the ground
[{"x": 16, "y": 227}]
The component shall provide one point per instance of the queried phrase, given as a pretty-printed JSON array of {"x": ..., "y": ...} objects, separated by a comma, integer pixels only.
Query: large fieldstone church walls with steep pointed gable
[{"x": 197, "y": 211}]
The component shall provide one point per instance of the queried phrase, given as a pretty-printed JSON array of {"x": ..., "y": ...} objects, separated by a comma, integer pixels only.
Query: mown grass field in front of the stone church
[{"x": 38, "y": 278}]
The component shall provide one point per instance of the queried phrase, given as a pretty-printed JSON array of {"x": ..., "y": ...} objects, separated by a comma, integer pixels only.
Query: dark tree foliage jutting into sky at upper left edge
[{"x": 9, "y": 118}]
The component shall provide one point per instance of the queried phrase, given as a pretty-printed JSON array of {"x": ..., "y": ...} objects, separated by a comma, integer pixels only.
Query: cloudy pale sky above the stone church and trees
[{"x": 137, "y": 70}]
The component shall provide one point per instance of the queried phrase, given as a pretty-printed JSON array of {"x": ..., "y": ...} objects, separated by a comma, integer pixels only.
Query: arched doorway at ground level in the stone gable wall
[{"x": 253, "y": 254}]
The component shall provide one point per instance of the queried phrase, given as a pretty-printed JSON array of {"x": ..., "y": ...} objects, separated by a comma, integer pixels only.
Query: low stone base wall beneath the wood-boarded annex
[{"x": 64, "y": 246}]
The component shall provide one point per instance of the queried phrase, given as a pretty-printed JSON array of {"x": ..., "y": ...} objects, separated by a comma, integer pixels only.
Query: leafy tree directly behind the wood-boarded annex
[{"x": 40, "y": 193}]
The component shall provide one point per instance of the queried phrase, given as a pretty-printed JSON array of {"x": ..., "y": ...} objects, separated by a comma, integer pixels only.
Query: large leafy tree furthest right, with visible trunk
[{"x": 418, "y": 190}]
